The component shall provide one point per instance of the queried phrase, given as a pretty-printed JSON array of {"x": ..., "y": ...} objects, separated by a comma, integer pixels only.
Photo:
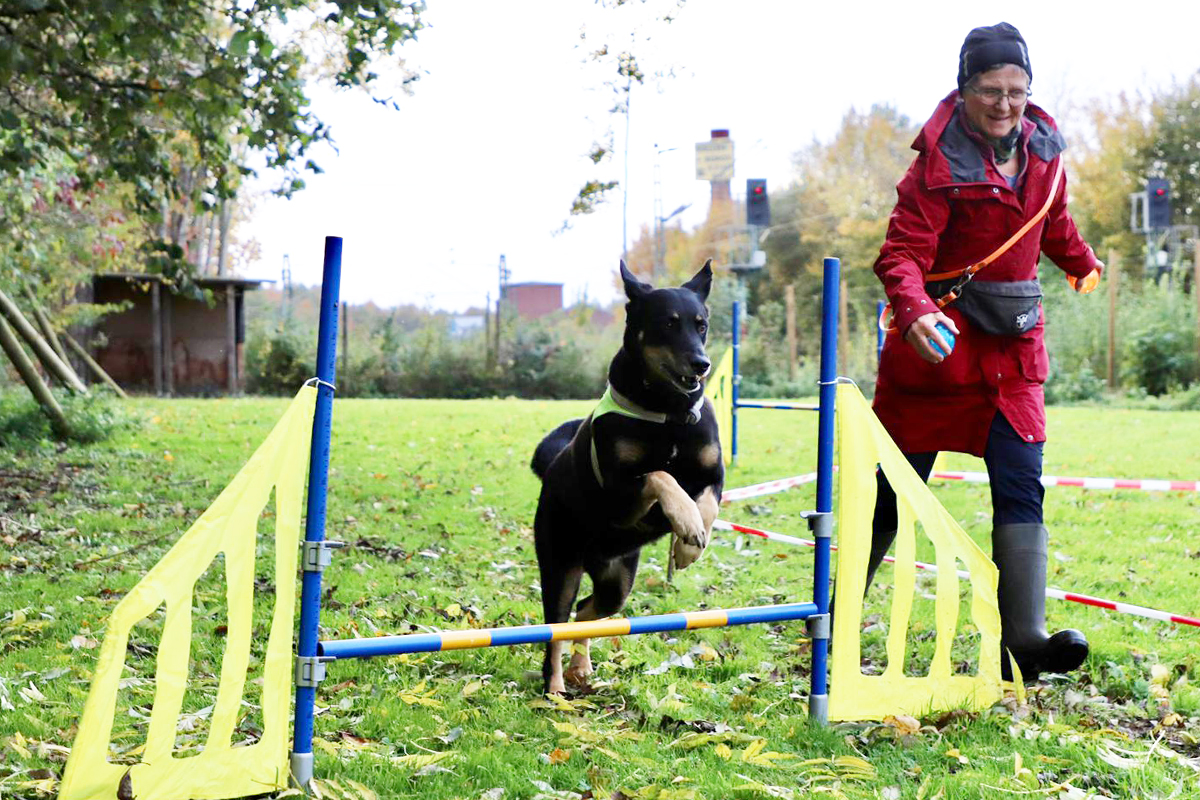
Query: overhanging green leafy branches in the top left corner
[{"x": 112, "y": 83}]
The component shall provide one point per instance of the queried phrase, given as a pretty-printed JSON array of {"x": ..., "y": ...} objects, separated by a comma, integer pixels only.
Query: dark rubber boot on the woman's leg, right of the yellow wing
[{"x": 1021, "y": 555}]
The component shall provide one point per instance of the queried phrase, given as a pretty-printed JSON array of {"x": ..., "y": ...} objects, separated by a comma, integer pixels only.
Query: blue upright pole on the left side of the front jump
[{"x": 309, "y": 669}]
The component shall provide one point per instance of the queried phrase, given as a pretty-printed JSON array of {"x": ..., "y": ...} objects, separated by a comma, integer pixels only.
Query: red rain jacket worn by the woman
[{"x": 955, "y": 209}]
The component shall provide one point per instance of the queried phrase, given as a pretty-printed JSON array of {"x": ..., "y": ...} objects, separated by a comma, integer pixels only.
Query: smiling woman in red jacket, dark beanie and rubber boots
[{"x": 985, "y": 196}]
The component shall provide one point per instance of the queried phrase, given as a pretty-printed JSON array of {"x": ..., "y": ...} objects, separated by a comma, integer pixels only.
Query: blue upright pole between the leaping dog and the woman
[{"x": 823, "y": 522}]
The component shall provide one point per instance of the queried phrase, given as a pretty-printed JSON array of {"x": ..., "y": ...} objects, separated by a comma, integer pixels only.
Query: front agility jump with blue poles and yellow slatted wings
[{"x": 229, "y": 528}]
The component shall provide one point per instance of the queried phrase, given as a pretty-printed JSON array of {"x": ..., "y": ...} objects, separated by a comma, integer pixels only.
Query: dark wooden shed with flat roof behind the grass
[{"x": 173, "y": 345}]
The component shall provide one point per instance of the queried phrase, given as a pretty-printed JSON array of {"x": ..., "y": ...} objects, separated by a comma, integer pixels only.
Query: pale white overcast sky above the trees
[{"x": 488, "y": 154}]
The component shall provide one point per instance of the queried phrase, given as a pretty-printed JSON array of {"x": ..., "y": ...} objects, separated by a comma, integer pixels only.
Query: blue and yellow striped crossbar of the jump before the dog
[{"x": 496, "y": 637}]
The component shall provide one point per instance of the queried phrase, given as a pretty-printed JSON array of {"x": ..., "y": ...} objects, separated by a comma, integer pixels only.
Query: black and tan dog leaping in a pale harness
[{"x": 645, "y": 464}]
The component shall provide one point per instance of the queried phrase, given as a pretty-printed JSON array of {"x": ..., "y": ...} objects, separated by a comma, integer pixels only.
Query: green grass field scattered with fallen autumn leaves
[{"x": 436, "y": 501}]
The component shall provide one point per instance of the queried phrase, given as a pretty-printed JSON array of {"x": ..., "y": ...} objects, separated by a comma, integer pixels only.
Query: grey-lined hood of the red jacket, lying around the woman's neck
[{"x": 955, "y": 155}]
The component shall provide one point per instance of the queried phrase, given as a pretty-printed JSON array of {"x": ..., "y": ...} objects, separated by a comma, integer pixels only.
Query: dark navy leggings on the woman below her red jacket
[{"x": 1015, "y": 471}]
